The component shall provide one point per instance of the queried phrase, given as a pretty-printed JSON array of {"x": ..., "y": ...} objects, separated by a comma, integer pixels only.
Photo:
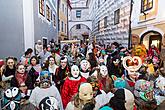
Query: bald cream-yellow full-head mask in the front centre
[{"x": 85, "y": 92}]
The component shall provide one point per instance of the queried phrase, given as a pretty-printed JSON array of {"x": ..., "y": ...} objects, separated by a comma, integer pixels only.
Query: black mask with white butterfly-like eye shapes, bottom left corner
[{"x": 12, "y": 98}]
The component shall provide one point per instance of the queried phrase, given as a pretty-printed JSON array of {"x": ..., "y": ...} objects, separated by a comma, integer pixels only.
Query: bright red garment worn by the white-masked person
[{"x": 69, "y": 89}]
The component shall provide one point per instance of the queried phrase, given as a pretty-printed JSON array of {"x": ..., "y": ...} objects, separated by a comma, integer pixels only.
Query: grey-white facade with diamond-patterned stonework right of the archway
[{"x": 110, "y": 20}]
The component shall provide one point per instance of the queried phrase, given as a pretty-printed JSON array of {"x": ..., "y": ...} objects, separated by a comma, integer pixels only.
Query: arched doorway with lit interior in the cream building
[{"x": 151, "y": 37}]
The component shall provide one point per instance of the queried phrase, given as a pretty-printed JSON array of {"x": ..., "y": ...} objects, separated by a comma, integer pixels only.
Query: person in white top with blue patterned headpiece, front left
[{"x": 45, "y": 89}]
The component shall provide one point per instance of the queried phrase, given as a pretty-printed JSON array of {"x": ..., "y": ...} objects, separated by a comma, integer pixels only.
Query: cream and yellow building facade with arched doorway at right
[{"x": 148, "y": 22}]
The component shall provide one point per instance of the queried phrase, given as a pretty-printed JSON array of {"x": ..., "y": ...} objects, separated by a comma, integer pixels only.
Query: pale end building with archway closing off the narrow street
[{"x": 79, "y": 25}]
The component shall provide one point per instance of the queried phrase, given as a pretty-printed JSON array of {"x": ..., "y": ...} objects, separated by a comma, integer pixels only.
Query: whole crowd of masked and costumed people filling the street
[{"x": 83, "y": 77}]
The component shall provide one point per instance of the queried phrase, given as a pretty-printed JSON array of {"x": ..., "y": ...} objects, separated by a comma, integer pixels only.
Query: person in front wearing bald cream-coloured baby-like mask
[{"x": 83, "y": 97}]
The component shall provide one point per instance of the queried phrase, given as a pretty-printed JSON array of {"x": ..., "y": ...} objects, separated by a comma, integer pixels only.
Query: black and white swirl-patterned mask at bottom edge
[{"x": 48, "y": 103}]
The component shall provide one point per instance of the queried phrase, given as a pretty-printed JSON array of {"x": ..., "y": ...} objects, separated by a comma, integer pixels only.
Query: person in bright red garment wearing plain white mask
[{"x": 70, "y": 87}]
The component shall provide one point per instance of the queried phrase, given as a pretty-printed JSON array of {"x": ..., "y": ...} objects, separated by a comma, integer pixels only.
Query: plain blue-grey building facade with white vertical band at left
[{"x": 23, "y": 22}]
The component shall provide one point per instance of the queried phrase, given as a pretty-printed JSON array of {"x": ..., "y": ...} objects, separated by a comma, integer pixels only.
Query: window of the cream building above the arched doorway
[{"x": 146, "y": 5}]
